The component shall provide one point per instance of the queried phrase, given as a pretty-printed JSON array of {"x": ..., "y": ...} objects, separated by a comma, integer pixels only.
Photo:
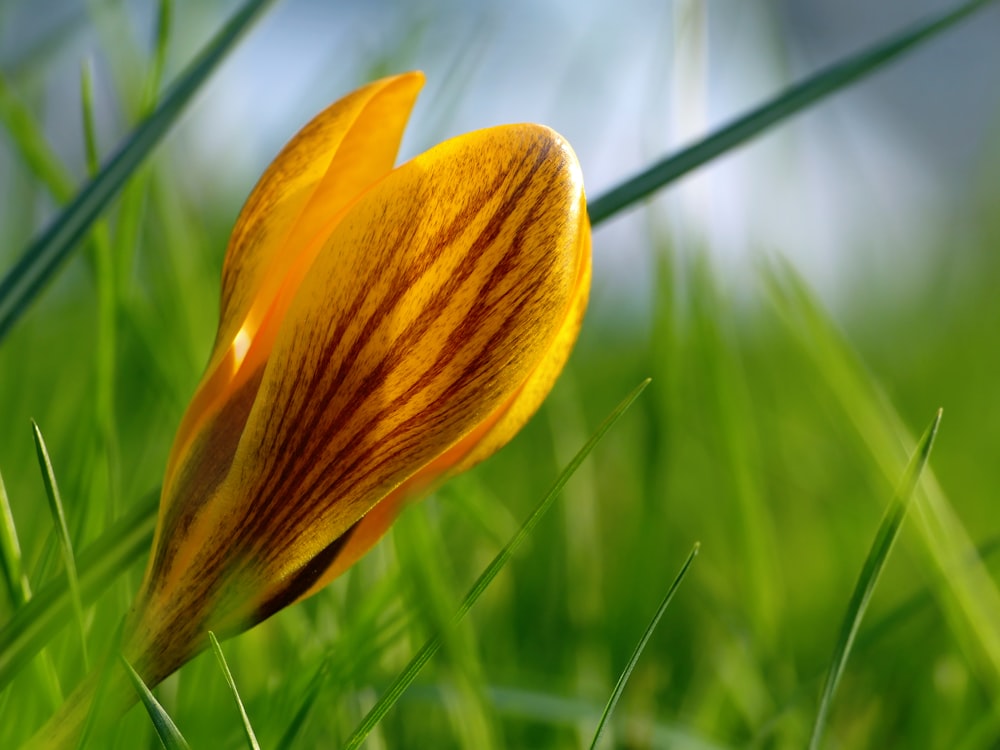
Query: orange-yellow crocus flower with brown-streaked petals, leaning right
[{"x": 381, "y": 328}]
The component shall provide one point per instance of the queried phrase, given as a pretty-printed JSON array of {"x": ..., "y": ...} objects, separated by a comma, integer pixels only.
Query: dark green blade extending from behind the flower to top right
[{"x": 793, "y": 100}]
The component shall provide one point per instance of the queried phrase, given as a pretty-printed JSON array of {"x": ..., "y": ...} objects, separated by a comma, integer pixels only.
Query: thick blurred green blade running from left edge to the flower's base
[{"x": 108, "y": 557}]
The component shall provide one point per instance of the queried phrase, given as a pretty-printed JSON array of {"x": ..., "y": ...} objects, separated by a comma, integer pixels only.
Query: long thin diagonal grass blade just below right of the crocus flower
[{"x": 432, "y": 646}]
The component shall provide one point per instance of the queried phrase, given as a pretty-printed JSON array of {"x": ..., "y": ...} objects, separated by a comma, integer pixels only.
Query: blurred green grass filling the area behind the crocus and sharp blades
[{"x": 771, "y": 432}]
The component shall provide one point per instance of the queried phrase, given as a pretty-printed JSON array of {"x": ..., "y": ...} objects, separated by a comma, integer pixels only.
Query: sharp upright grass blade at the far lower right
[{"x": 877, "y": 555}]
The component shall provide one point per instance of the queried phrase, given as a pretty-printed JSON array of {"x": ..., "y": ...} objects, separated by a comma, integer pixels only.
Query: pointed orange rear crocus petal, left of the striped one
[{"x": 325, "y": 167}]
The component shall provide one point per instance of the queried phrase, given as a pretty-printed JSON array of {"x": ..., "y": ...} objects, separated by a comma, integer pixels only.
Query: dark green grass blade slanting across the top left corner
[{"x": 47, "y": 252}]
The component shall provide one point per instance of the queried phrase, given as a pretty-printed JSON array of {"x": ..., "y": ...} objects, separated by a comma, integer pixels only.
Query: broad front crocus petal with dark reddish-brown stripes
[{"x": 432, "y": 303}]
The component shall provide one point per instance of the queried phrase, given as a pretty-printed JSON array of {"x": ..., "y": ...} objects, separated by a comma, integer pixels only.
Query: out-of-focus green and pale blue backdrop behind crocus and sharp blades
[{"x": 803, "y": 304}]
